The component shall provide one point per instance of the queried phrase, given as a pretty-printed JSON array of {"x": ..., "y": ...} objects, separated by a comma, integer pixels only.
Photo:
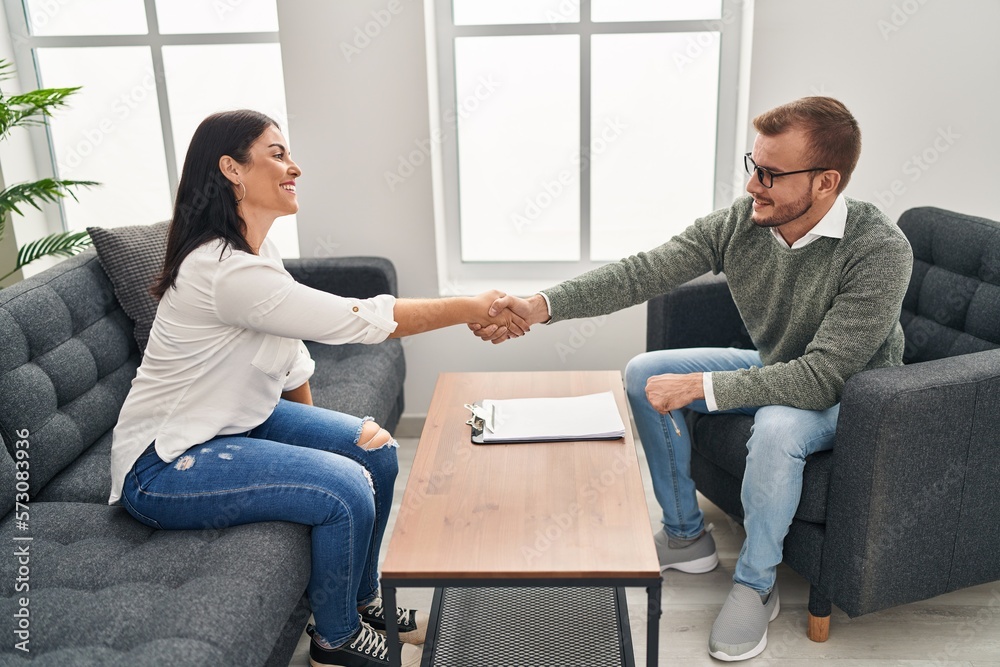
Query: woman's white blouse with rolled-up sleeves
[{"x": 224, "y": 345}]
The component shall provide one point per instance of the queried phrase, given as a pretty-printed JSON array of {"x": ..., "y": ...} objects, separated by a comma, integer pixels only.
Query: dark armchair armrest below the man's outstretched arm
[{"x": 699, "y": 313}]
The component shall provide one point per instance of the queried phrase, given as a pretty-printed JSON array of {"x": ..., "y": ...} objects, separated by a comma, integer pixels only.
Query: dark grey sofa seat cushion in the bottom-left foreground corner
[{"x": 106, "y": 589}]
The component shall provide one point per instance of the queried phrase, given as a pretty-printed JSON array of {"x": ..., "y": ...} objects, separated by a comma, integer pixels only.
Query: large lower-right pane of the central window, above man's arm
[{"x": 655, "y": 177}]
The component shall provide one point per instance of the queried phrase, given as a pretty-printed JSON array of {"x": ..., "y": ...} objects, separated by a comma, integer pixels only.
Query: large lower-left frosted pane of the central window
[{"x": 518, "y": 140}]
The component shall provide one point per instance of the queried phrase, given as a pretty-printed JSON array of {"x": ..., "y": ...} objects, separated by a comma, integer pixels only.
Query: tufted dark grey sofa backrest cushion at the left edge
[{"x": 69, "y": 363}]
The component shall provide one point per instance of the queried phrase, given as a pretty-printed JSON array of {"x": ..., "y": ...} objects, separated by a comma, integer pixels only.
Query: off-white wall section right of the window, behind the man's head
[{"x": 921, "y": 76}]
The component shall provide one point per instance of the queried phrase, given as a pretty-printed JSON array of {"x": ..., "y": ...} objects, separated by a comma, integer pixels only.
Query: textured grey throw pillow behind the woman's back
[{"x": 133, "y": 257}]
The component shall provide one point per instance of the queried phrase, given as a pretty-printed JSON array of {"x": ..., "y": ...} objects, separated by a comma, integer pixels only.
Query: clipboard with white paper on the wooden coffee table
[{"x": 550, "y": 419}]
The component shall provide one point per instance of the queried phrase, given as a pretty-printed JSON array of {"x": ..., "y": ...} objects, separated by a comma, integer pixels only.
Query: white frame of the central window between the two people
[{"x": 456, "y": 276}]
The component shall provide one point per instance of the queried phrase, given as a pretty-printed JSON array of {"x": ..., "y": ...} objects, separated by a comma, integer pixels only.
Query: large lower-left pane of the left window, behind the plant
[{"x": 110, "y": 133}]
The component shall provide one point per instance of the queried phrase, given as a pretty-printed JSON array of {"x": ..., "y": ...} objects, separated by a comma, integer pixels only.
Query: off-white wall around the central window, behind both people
[{"x": 352, "y": 118}]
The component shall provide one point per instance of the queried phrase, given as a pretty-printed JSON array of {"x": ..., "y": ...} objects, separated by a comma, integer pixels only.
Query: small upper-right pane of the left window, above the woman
[{"x": 202, "y": 16}]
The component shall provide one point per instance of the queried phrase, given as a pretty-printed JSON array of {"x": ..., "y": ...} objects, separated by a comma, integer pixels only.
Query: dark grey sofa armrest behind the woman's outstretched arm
[{"x": 359, "y": 277}]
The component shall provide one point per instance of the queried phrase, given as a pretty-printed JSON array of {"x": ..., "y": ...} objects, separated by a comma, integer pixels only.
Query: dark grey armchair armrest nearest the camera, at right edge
[{"x": 913, "y": 498}]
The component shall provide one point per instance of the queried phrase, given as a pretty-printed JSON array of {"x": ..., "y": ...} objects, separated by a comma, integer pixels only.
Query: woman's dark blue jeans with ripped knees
[{"x": 302, "y": 465}]
